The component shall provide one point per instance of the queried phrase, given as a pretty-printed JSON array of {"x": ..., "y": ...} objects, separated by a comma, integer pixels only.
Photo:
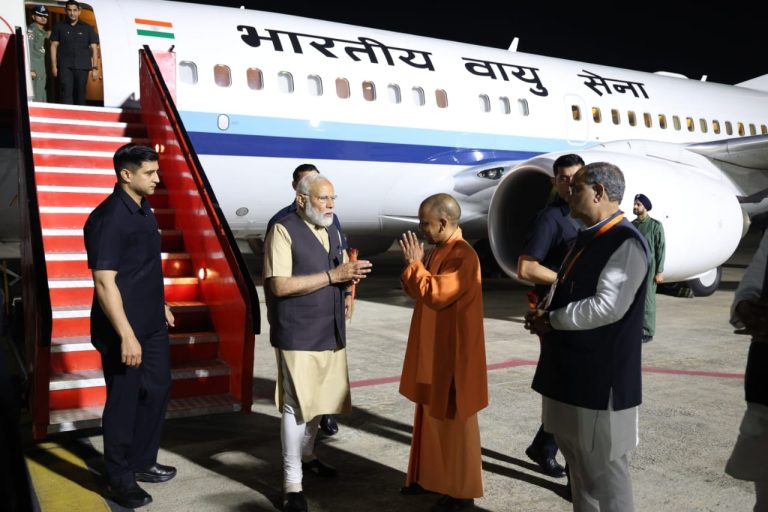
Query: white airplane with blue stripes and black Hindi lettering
[{"x": 391, "y": 118}]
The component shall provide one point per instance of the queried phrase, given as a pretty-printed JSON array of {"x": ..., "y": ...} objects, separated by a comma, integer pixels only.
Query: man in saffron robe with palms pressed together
[{"x": 444, "y": 371}]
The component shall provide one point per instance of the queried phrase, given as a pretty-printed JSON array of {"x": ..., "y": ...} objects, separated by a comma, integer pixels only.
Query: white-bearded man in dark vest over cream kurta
[{"x": 306, "y": 275}]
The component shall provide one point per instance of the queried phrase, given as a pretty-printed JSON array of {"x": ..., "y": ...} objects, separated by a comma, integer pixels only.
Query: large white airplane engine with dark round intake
[{"x": 702, "y": 219}]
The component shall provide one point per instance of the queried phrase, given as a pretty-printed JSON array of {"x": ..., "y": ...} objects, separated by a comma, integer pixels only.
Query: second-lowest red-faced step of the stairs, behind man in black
[{"x": 78, "y": 354}]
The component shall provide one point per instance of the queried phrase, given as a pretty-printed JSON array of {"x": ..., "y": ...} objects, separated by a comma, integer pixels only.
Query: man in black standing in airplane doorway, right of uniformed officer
[{"x": 74, "y": 55}]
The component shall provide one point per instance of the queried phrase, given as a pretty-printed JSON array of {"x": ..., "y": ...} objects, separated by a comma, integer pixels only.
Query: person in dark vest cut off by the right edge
[{"x": 749, "y": 312}]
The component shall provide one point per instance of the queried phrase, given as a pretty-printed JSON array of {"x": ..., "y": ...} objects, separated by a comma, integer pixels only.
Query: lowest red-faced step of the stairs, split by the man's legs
[{"x": 87, "y": 388}]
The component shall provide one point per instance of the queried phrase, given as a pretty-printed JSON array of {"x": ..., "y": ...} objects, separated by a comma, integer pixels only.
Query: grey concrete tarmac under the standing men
[{"x": 693, "y": 401}]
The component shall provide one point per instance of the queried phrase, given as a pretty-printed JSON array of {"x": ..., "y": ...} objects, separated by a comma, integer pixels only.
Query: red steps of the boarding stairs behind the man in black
[{"x": 72, "y": 151}]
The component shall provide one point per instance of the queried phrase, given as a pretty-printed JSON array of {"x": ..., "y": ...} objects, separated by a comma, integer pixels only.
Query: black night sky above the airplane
[{"x": 722, "y": 40}]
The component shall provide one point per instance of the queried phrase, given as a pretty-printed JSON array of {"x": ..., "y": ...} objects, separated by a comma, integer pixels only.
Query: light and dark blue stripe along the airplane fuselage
[{"x": 290, "y": 138}]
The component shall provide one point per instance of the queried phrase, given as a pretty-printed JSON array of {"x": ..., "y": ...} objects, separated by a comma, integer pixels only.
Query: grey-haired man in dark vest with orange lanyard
[{"x": 590, "y": 330}]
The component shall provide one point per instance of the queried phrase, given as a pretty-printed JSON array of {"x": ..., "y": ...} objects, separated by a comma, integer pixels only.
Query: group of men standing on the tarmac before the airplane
[{"x": 594, "y": 271}]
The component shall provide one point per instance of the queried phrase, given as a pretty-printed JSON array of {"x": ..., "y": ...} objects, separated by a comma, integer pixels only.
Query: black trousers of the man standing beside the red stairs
[{"x": 137, "y": 399}]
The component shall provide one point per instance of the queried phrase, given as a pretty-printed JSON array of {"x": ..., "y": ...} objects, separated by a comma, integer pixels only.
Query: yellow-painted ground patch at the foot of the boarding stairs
[{"x": 62, "y": 481}]
